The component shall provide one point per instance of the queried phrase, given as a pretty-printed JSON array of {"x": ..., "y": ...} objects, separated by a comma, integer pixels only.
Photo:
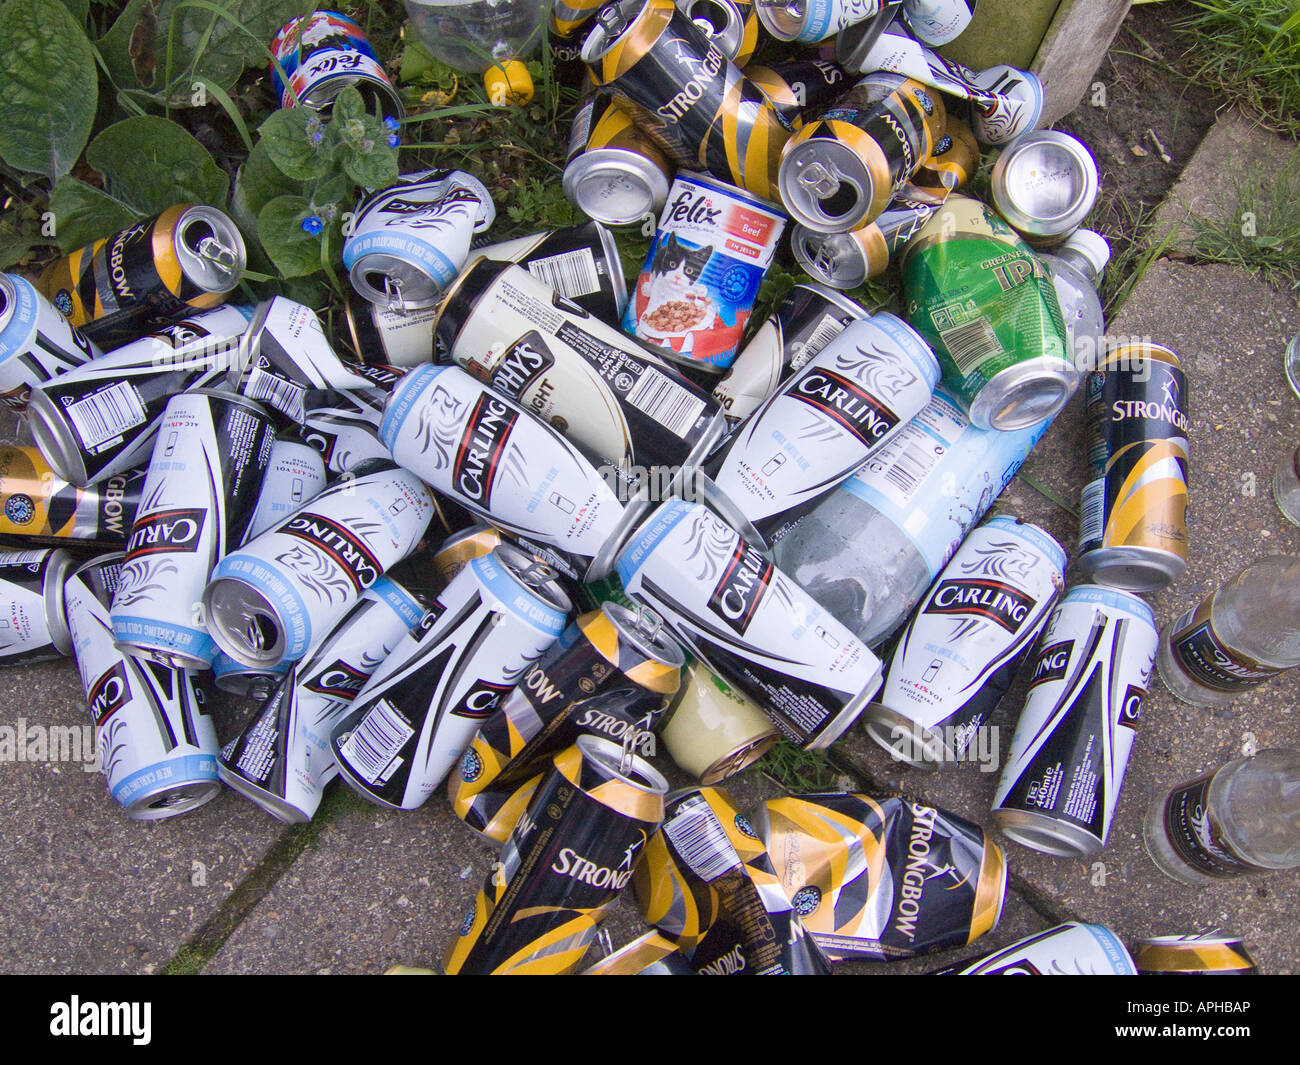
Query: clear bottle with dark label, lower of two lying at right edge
[{"x": 1243, "y": 819}]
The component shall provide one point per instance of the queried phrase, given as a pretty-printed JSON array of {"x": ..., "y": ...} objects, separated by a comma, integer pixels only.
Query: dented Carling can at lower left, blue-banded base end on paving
[{"x": 157, "y": 741}]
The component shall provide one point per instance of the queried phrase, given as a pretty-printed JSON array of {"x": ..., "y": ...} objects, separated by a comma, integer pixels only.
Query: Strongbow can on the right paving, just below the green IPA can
[{"x": 1133, "y": 517}]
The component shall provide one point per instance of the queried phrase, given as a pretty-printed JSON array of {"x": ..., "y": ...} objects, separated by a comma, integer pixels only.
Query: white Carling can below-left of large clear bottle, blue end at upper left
[{"x": 749, "y": 624}]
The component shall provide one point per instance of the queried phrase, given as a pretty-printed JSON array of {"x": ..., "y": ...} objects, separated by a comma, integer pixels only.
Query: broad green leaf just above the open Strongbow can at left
[{"x": 151, "y": 164}]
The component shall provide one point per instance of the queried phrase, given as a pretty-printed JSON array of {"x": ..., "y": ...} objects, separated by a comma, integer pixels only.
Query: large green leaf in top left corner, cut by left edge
[{"x": 49, "y": 88}]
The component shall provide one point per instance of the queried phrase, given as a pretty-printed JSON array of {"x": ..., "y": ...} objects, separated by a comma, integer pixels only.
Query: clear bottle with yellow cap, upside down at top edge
[{"x": 483, "y": 37}]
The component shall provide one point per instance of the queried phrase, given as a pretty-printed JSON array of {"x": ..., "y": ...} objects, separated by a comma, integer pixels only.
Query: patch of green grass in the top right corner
[{"x": 1250, "y": 50}]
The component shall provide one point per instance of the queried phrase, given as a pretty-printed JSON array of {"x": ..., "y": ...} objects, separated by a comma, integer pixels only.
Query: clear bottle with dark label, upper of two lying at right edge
[{"x": 1234, "y": 640}]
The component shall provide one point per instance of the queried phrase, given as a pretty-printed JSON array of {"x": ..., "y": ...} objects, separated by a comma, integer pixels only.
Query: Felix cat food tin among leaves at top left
[{"x": 317, "y": 57}]
